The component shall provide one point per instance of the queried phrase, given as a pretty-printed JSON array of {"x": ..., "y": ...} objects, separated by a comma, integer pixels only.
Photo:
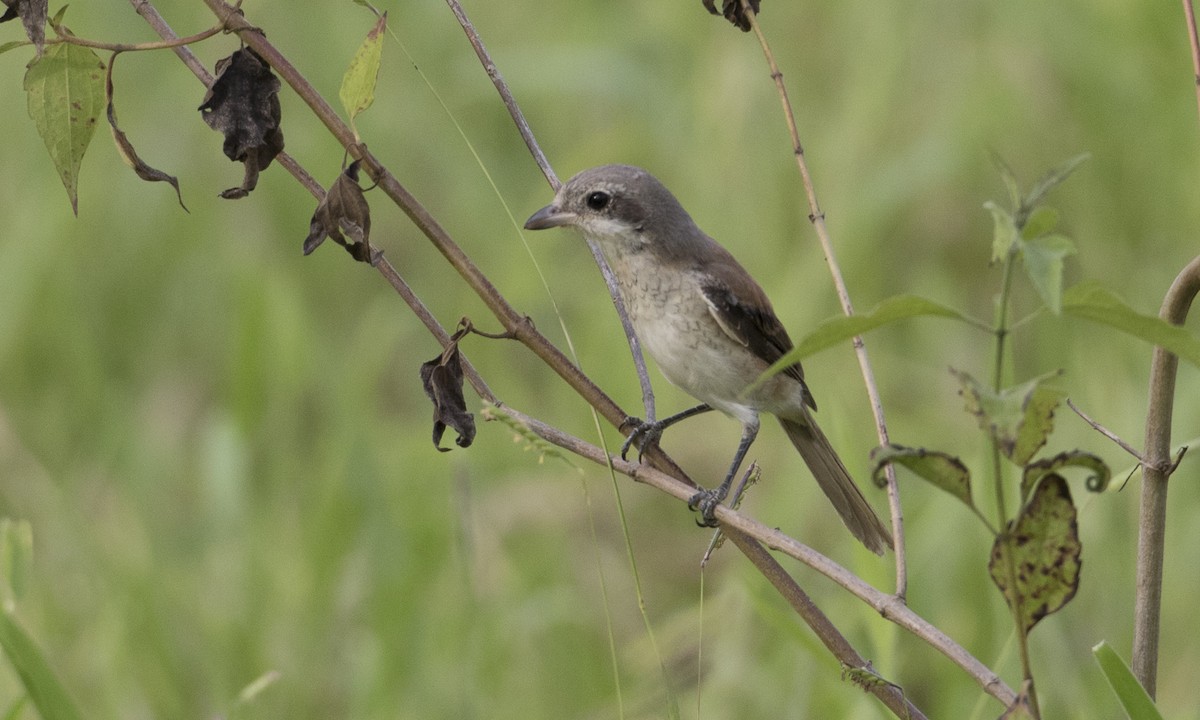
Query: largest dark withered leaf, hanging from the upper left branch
[{"x": 244, "y": 104}]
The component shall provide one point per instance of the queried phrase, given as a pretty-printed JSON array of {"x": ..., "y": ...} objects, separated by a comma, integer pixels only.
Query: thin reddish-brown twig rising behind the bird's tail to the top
[{"x": 818, "y": 218}]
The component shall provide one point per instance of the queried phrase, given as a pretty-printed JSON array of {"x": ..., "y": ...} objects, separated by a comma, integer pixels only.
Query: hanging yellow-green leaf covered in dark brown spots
[{"x": 1042, "y": 549}]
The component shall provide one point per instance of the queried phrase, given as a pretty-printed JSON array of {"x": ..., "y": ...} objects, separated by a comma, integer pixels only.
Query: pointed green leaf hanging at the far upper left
[{"x": 65, "y": 91}]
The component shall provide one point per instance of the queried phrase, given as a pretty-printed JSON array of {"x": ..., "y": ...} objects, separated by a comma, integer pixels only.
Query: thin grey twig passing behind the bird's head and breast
[{"x": 519, "y": 119}]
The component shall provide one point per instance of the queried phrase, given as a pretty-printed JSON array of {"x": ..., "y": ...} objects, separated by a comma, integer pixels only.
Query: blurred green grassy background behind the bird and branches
[{"x": 225, "y": 451}]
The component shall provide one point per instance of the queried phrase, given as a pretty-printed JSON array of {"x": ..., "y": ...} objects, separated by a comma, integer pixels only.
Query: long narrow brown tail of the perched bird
[{"x": 838, "y": 485}]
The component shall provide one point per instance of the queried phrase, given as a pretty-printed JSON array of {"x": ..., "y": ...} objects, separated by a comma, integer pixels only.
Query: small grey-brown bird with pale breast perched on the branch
[{"x": 709, "y": 326}]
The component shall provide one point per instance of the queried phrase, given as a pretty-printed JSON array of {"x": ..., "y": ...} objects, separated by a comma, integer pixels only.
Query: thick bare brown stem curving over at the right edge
[{"x": 1156, "y": 471}]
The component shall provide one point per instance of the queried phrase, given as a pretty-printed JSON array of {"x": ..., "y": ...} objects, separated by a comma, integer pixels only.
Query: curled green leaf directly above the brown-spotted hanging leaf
[{"x": 1021, "y": 418}]
